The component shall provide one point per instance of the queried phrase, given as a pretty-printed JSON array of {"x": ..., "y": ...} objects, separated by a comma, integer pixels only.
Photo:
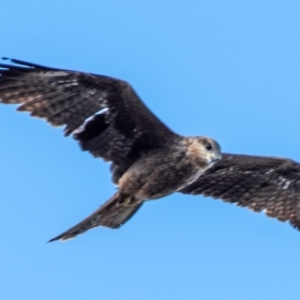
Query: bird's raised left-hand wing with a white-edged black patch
[{"x": 103, "y": 113}]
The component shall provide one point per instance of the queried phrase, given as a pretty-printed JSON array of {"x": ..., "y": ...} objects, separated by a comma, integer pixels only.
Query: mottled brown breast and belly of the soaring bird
[{"x": 159, "y": 174}]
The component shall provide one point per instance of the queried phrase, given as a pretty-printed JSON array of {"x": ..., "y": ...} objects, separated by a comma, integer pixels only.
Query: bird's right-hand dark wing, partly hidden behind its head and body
[{"x": 259, "y": 183}]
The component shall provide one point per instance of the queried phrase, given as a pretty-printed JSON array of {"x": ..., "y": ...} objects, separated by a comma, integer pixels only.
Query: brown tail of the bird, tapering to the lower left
[{"x": 113, "y": 213}]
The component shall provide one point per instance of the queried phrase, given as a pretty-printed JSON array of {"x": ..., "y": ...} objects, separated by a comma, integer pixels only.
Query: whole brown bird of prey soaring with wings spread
[{"x": 148, "y": 160}]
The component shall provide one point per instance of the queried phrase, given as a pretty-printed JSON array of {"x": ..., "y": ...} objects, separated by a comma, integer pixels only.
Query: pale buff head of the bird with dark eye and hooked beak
[{"x": 204, "y": 150}]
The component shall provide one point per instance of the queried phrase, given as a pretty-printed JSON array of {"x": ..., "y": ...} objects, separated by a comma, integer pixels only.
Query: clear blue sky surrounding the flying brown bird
[{"x": 225, "y": 69}]
